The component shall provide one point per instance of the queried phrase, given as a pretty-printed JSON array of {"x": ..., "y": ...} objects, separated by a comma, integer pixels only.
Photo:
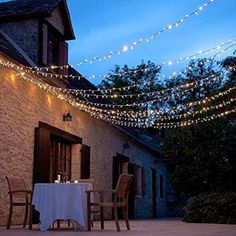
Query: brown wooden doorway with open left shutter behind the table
[{"x": 52, "y": 153}]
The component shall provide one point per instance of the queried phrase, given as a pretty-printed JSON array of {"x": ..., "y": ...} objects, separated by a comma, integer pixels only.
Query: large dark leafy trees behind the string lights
[{"x": 203, "y": 154}]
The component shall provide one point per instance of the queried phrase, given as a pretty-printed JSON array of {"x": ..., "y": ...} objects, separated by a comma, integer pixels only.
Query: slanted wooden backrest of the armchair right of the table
[{"x": 123, "y": 185}]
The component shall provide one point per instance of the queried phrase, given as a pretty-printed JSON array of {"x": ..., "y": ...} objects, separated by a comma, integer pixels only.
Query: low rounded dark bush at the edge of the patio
[{"x": 211, "y": 208}]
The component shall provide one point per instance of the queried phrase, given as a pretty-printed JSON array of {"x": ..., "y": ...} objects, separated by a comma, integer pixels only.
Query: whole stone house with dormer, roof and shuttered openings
[{"x": 37, "y": 141}]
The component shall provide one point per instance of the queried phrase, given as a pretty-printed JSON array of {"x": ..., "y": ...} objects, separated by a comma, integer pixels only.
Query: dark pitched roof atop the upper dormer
[{"x": 32, "y": 9}]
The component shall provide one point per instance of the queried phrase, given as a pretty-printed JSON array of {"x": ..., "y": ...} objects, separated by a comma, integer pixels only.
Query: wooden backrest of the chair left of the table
[{"x": 16, "y": 184}]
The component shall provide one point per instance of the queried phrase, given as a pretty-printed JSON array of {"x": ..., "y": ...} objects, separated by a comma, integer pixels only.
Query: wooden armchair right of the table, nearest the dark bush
[{"x": 120, "y": 200}]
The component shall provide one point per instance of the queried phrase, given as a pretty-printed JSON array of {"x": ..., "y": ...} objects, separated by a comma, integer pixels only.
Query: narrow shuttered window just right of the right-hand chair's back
[{"x": 139, "y": 180}]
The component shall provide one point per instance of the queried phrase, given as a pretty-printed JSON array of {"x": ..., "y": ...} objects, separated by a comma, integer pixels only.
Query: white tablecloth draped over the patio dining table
[{"x": 61, "y": 201}]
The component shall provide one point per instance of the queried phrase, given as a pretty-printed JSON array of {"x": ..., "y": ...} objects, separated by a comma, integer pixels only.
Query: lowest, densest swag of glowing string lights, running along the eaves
[{"x": 161, "y": 123}]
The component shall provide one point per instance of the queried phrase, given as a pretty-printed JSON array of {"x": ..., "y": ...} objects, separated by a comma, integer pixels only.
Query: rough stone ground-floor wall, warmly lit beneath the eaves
[{"x": 23, "y": 105}]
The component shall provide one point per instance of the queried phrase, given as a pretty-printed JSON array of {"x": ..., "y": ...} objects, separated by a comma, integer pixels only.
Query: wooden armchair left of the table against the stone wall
[{"x": 19, "y": 196}]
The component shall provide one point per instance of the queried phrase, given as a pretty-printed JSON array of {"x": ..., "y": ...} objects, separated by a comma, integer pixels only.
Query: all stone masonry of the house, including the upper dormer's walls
[{"x": 24, "y": 105}]
